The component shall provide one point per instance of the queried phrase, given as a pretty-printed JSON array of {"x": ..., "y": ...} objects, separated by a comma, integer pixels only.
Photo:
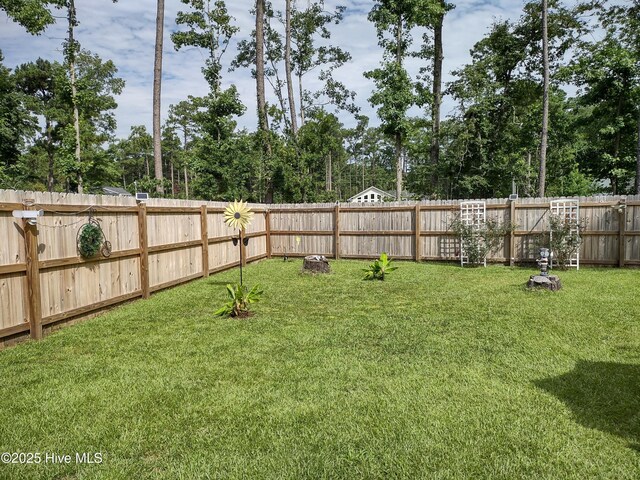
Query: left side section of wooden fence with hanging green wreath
[{"x": 155, "y": 245}]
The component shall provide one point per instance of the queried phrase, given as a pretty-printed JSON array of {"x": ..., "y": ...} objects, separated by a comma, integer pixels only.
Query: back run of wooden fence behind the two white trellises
[{"x": 422, "y": 231}]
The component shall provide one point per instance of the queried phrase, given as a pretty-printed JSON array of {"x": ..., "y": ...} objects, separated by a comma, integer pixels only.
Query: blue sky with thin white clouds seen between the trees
[{"x": 124, "y": 32}]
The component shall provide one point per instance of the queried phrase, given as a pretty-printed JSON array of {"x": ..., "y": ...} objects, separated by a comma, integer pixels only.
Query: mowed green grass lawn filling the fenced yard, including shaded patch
[{"x": 437, "y": 372}]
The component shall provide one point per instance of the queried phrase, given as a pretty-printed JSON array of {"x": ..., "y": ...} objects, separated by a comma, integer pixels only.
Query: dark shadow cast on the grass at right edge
[{"x": 601, "y": 395}]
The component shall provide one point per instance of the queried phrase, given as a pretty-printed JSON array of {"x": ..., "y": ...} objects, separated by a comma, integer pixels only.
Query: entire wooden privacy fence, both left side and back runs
[{"x": 162, "y": 243}]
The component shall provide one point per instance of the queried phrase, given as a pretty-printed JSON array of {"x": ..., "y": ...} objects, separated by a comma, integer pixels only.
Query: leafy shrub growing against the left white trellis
[{"x": 481, "y": 240}]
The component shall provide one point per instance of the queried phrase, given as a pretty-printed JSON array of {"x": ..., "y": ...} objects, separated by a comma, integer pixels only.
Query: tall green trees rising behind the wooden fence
[{"x": 514, "y": 121}]
